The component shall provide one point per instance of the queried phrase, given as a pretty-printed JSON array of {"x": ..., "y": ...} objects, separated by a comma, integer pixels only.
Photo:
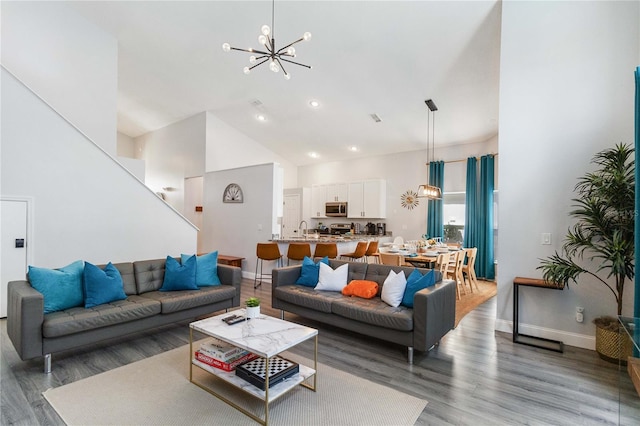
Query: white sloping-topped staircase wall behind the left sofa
[{"x": 86, "y": 206}]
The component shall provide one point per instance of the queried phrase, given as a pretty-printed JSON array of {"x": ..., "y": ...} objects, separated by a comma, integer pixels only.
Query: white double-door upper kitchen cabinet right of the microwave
[{"x": 367, "y": 199}]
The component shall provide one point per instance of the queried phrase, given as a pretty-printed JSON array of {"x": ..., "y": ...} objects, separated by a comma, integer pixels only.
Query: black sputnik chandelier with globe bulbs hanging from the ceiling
[{"x": 273, "y": 56}]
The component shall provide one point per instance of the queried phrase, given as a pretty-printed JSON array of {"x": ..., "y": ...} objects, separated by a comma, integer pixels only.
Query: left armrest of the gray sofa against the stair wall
[{"x": 25, "y": 316}]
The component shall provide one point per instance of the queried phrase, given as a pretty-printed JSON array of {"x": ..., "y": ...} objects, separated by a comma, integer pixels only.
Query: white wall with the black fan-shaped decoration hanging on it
[{"x": 236, "y": 228}]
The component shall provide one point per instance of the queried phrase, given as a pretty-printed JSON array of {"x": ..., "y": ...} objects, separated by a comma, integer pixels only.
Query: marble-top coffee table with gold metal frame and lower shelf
[{"x": 265, "y": 336}]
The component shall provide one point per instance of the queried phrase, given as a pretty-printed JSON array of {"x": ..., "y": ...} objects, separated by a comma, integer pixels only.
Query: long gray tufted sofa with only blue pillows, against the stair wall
[{"x": 35, "y": 334}]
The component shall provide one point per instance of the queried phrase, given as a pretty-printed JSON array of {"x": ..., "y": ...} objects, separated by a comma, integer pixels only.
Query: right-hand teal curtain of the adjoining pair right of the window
[{"x": 484, "y": 220}]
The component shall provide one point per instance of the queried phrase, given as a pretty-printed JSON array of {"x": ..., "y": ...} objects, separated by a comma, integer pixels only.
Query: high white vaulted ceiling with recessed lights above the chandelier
[{"x": 368, "y": 57}]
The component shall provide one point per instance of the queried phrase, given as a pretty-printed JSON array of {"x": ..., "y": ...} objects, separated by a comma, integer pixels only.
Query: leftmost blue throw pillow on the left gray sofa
[{"x": 61, "y": 288}]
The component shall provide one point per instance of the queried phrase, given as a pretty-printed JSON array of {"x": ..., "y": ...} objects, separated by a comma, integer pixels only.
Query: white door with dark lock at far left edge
[{"x": 13, "y": 246}]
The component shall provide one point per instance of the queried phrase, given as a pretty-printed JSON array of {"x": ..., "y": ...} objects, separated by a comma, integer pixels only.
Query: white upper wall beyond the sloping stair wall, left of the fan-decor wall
[{"x": 171, "y": 154}]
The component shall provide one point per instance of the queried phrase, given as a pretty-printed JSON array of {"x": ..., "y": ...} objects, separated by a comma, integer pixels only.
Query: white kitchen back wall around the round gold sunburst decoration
[{"x": 402, "y": 171}]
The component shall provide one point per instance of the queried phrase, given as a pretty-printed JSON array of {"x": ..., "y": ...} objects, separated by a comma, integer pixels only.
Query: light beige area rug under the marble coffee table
[{"x": 157, "y": 391}]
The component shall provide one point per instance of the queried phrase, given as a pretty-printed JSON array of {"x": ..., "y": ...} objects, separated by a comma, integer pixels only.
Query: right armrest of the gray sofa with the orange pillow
[{"x": 434, "y": 314}]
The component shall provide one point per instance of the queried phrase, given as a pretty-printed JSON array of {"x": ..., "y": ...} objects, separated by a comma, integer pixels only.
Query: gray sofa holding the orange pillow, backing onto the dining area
[{"x": 420, "y": 328}]
